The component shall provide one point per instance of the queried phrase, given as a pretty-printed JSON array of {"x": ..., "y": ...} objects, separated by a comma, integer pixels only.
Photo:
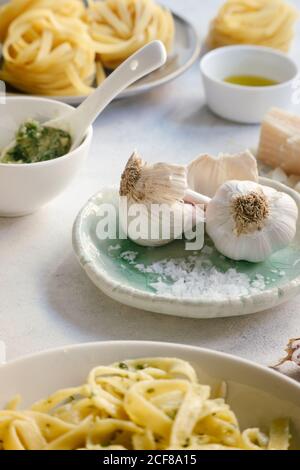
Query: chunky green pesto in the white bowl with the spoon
[{"x": 36, "y": 143}]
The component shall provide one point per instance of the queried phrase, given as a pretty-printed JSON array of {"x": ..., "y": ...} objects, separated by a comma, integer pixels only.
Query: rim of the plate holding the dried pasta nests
[{"x": 139, "y": 89}]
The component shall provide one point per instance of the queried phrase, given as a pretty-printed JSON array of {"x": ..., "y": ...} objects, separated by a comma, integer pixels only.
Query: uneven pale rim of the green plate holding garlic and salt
[{"x": 131, "y": 296}]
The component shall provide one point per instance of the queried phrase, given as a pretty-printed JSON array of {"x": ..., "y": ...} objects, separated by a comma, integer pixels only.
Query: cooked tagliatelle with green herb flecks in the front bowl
[{"x": 142, "y": 404}]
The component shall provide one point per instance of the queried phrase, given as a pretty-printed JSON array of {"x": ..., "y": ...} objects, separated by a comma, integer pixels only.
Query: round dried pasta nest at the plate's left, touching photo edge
[{"x": 47, "y": 54}]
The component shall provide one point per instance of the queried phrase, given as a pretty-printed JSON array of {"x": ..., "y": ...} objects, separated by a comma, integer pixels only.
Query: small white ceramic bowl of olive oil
[{"x": 247, "y": 104}]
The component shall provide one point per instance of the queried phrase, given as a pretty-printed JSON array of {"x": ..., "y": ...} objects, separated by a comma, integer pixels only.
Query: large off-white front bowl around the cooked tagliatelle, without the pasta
[{"x": 256, "y": 394}]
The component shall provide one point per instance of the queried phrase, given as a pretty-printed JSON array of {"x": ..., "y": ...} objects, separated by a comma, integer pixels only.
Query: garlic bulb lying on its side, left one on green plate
[{"x": 152, "y": 209}]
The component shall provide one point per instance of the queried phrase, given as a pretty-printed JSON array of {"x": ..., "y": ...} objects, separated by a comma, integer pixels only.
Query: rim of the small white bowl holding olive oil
[{"x": 266, "y": 50}]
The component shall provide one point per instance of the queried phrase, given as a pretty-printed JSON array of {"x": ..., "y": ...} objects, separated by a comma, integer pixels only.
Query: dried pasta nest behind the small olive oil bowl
[{"x": 260, "y": 22}]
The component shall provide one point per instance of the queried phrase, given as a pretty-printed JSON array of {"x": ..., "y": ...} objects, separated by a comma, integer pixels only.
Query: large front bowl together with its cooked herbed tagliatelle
[{"x": 202, "y": 400}]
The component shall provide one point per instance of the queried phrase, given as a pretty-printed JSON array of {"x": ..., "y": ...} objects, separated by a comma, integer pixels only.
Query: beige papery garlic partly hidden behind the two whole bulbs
[{"x": 207, "y": 173}]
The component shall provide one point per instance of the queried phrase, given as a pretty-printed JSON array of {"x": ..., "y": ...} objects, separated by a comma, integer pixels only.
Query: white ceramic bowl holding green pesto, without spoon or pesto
[{"x": 26, "y": 188}]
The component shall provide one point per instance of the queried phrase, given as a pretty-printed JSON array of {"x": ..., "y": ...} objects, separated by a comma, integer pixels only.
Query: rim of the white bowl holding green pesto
[{"x": 55, "y": 160}]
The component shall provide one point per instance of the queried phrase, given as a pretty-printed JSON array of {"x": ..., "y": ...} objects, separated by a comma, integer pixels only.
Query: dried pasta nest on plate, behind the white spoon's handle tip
[{"x": 120, "y": 28}]
